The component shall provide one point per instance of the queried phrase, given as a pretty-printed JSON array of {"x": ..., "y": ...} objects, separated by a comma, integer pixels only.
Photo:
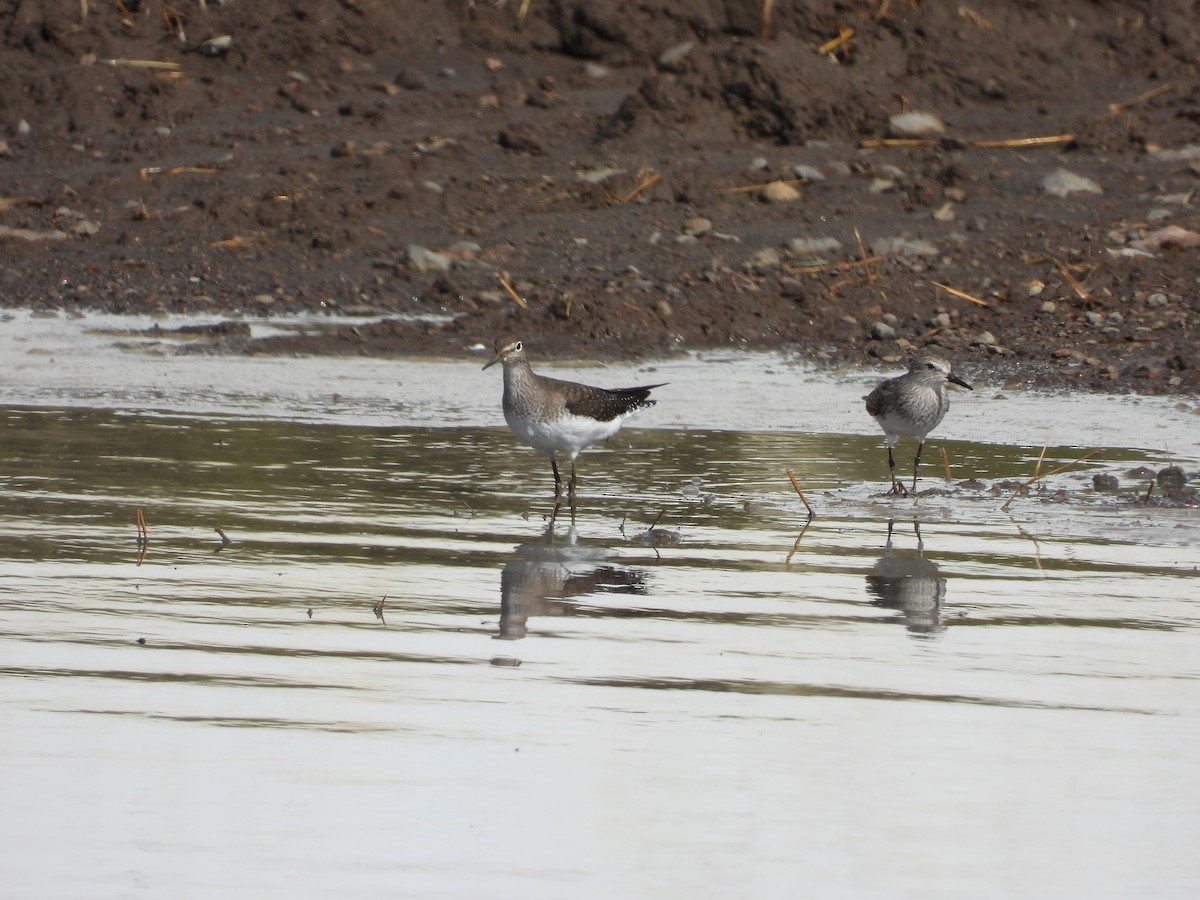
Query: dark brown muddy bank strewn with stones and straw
[{"x": 298, "y": 170}]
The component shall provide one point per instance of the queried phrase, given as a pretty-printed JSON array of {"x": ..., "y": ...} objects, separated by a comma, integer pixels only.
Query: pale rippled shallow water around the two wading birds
[{"x": 737, "y": 704}]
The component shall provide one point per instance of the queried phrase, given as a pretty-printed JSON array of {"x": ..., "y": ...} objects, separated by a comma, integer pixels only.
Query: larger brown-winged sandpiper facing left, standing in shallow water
[{"x": 559, "y": 417}]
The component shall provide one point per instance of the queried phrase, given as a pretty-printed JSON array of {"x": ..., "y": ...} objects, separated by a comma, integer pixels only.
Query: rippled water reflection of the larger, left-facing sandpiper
[{"x": 545, "y": 578}]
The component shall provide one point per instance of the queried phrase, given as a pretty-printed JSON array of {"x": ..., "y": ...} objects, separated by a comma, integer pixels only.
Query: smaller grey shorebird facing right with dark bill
[{"x": 913, "y": 406}]
